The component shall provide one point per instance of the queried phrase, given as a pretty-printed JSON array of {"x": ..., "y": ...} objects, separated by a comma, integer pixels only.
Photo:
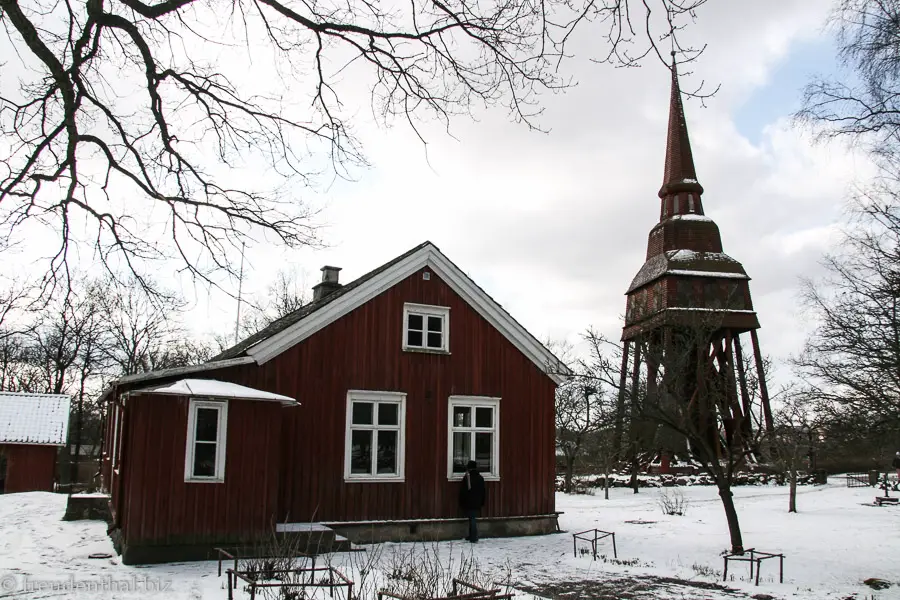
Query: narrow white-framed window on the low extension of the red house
[{"x": 205, "y": 455}]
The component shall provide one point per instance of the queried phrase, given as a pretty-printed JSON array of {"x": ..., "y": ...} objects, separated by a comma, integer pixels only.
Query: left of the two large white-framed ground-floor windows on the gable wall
[{"x": 376, "y": 423}]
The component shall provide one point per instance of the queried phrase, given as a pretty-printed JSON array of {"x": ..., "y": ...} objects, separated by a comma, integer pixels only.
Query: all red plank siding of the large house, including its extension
[{"x": 292, "y": 467}]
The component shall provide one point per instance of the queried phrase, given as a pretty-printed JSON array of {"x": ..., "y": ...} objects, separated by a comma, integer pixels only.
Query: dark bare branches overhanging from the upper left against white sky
[{"x": 181, "y": 129}]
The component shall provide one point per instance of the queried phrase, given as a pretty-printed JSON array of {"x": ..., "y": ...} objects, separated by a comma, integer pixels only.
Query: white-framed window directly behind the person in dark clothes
[{"x": 474, "y": 434}]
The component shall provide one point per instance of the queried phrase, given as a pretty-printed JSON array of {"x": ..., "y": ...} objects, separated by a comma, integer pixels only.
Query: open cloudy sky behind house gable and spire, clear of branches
[{"x": 554, "y": 225}]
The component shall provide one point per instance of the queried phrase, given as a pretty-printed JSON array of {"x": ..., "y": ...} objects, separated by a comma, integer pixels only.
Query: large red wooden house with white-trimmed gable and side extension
[{"x": 401, "y": 376}]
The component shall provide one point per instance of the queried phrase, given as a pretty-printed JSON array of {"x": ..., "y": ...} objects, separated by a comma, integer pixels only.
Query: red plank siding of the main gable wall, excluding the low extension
[{"x": 362, "y": 351}]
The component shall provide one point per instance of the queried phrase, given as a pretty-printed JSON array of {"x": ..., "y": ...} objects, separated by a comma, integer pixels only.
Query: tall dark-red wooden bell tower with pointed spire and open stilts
[{"x": 688, "y": 311}]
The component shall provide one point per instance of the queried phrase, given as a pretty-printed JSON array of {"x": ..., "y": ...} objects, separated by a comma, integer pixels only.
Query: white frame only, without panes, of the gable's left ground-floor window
[{"x": 398, "y": 398}]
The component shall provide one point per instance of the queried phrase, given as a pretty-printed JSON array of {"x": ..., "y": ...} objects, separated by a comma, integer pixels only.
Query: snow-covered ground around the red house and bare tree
[{"x": 836, "y": 541}]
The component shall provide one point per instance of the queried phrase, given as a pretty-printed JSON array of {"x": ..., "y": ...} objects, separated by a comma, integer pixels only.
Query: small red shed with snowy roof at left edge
[{"x": 32, "y": 428}]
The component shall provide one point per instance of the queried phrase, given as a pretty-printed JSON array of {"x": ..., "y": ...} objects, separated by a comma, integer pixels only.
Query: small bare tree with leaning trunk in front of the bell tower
[{"x": 708, "y": 423}]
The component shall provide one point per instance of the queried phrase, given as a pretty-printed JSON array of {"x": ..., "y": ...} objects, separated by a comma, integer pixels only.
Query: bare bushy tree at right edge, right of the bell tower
[{"x": 851, "y": 361}]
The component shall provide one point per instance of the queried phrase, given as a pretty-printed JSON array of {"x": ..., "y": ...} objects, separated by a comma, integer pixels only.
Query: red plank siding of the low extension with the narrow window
[{"x": 159, "y": 507}]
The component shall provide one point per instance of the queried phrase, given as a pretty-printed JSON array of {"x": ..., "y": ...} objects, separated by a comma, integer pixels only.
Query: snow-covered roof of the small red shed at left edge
[{"x": 40, "y": 419}]
